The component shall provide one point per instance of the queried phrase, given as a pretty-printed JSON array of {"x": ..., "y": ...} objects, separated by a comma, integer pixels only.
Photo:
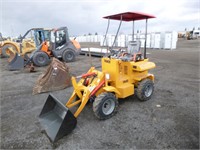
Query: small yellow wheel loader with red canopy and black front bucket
[{"x": 124, "y": 73}]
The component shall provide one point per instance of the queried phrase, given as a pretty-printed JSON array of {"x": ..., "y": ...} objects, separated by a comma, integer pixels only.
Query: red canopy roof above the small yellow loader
[{"x": 130, "y": 16}]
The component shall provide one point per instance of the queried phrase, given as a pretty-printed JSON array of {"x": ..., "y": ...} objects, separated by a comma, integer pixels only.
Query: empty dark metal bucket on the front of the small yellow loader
[{"x": 56, "y": 119}]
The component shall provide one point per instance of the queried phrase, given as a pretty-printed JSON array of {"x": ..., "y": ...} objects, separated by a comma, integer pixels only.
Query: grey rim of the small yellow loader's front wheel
[{"x": 108, "y": 106}]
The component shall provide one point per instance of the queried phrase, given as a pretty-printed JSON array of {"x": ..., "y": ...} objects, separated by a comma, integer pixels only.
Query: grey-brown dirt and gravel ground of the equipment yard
[{"x": 137, "y": 125}]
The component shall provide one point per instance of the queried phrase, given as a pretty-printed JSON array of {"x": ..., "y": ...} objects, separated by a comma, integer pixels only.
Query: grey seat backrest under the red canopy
[{"x": 134, "y": 47}]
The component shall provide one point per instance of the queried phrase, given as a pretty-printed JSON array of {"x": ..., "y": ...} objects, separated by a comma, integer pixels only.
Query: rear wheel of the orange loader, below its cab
[{"x": 68, "y": 55}]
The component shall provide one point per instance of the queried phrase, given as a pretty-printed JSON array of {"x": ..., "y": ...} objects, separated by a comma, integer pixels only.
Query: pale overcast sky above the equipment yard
[{"x": 85, "y": 16}]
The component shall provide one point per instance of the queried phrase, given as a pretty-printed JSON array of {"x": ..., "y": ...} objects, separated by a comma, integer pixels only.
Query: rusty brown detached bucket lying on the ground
[{"x": 56, "y": 77}]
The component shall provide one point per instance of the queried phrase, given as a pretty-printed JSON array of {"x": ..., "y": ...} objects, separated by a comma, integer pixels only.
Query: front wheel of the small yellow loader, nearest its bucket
[{"x": 105, "y": 105}]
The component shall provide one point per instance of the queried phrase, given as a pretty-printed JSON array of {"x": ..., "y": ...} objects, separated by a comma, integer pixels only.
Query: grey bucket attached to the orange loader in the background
[{"x": 16, "y": 63}]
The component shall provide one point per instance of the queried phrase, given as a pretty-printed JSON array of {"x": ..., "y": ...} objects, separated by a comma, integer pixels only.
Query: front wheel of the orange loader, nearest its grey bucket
[{"x": 41, "y": 59}]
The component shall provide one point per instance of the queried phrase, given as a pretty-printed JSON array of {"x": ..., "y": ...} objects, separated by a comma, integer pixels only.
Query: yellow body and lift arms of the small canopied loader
[{"x": 117, "y": 76}]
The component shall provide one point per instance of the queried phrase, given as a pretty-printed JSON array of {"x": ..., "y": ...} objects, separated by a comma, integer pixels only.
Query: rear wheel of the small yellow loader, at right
[{"x": 141, "y": 90}]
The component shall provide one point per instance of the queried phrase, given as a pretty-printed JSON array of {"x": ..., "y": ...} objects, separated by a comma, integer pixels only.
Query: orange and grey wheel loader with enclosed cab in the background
[{"x": 58, "y": 45}]
